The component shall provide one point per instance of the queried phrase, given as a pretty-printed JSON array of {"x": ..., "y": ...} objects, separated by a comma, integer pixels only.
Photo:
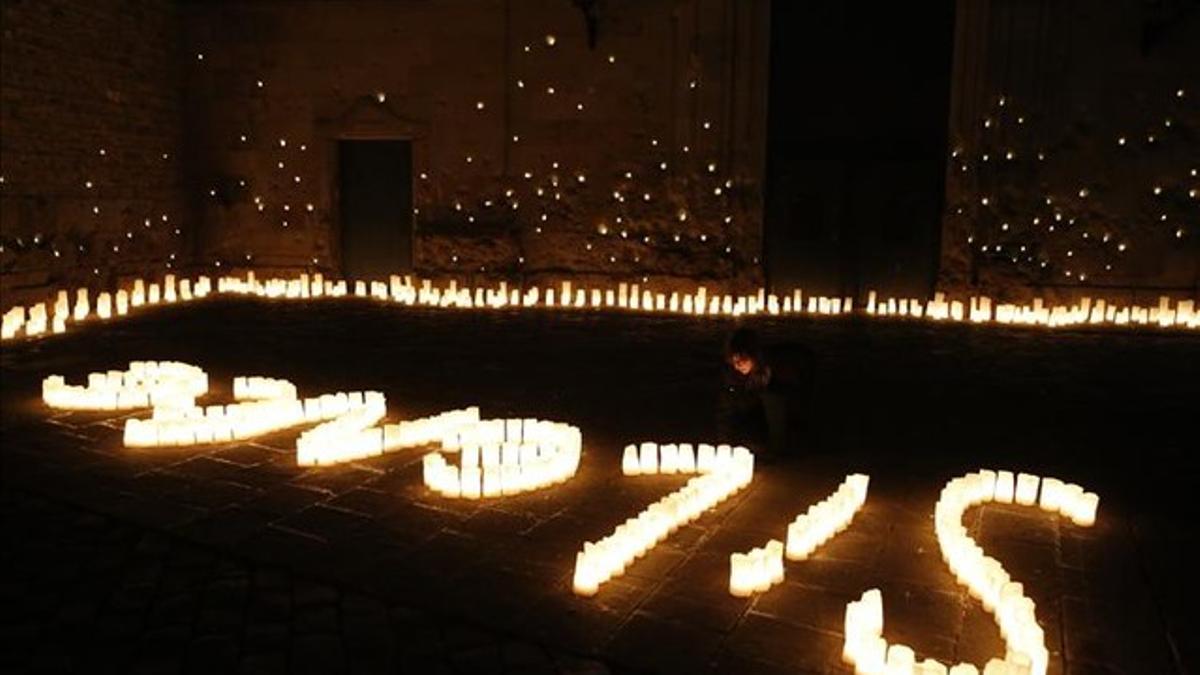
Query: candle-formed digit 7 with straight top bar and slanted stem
[{"x": 724, "y": 471}]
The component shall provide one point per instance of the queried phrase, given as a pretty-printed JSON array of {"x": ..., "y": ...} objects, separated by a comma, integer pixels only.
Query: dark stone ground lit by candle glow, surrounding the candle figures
[{"x": 232, "y": 559}]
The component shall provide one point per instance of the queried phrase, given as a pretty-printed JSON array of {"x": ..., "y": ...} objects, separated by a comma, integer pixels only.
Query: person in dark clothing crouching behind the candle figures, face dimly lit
[{"x": 765, "y": 395}]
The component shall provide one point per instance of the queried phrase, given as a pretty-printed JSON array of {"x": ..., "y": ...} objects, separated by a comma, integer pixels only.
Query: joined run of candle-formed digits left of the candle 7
[{"x": 500, "y": 457}]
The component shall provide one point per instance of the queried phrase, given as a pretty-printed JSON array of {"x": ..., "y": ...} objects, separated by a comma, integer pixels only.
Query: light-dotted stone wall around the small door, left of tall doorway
[{"x": 536, "y": 154}]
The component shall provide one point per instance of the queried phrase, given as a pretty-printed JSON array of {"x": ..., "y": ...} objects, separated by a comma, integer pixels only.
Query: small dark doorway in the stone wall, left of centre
[{"x": 376, "y": 195}]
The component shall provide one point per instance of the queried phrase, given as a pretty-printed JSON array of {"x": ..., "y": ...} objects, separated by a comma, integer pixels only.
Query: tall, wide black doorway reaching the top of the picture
[{"x": 856, "y": 157}]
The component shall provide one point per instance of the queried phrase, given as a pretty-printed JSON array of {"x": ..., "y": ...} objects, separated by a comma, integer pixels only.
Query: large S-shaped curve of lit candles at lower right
[{"x": 985, "y": 577}]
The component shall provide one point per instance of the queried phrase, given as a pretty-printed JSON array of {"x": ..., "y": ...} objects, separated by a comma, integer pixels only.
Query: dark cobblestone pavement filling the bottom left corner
[{"x": 86, "y": 593}]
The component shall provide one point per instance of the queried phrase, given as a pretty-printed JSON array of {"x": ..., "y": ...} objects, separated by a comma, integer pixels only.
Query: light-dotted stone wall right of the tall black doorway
[{"x": 1076, "y": 135}]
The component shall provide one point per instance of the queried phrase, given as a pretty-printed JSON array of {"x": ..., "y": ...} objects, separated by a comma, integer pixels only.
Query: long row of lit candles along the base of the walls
[{"x": 41, "y": 319}]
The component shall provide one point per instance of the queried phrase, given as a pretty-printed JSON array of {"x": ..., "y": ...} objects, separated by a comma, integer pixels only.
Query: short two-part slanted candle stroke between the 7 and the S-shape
[{"x": 761, "y": 569}]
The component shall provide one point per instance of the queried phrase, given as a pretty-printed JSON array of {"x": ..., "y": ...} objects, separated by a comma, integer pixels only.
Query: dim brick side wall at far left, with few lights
[{"x": 91, "y": 130}]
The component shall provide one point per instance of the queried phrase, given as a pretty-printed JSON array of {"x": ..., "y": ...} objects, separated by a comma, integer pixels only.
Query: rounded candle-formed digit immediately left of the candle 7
[{"x": 503, "y": 457}]
